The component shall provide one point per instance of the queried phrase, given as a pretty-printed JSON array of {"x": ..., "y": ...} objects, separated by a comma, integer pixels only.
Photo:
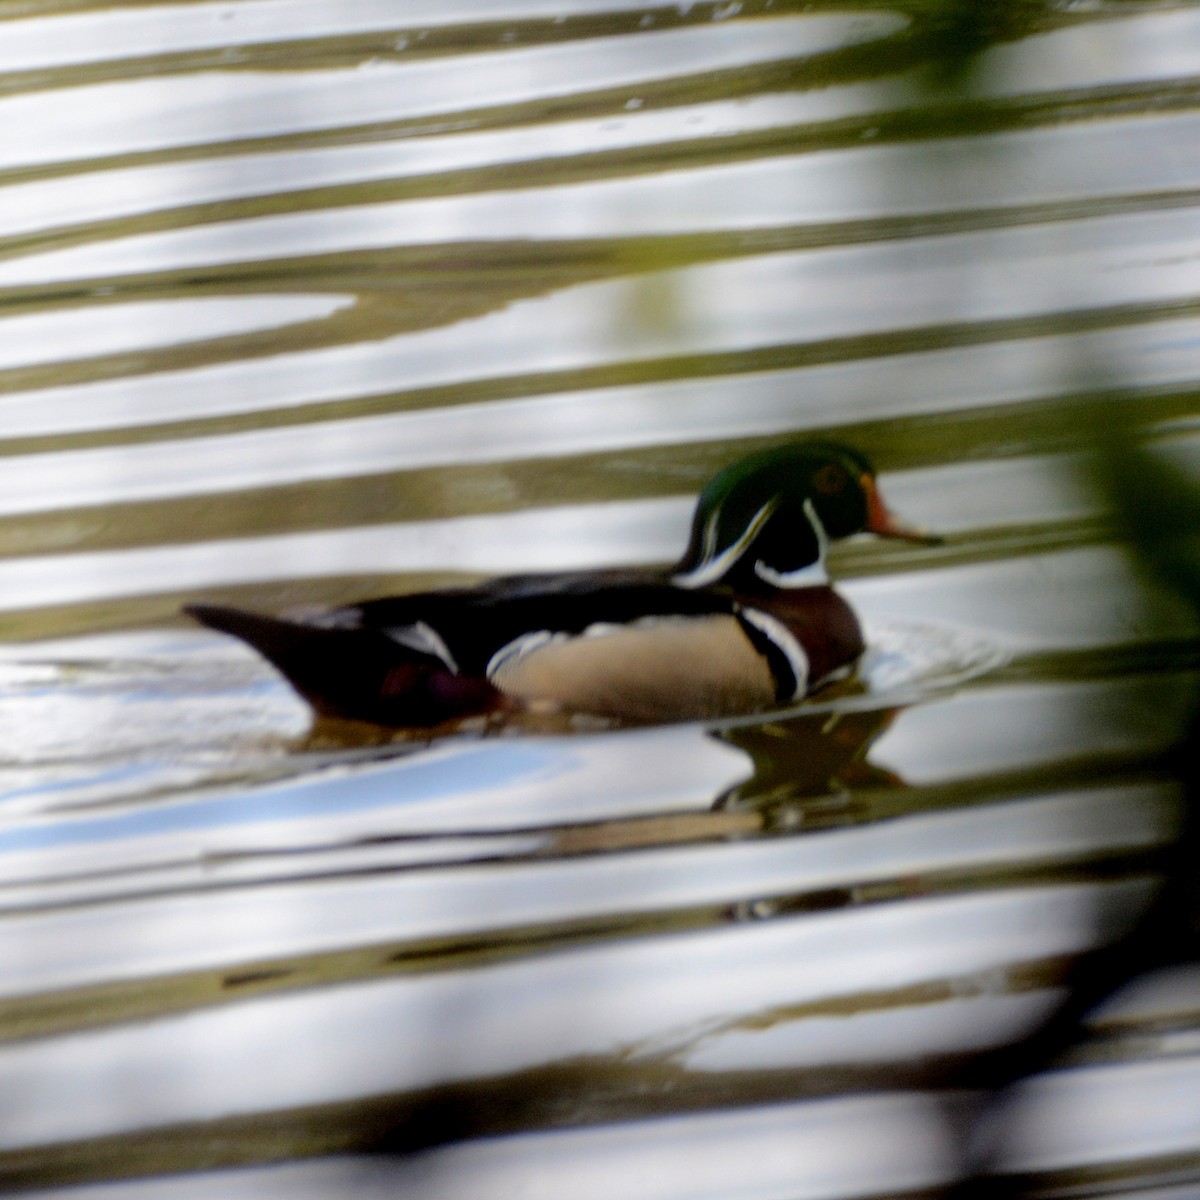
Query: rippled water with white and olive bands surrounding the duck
[{"x": 308, "y": 302}]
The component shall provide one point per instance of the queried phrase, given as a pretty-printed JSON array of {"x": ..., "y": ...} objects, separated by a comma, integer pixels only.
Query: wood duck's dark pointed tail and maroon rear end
[{"x": 357, "y": 674}]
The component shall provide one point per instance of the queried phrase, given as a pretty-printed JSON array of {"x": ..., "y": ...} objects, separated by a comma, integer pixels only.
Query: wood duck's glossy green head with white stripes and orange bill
[{"x": 767, "y": 520}]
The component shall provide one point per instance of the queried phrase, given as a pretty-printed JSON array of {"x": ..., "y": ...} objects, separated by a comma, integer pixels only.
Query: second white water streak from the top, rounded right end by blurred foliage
[{"x": 167, "y": 112}]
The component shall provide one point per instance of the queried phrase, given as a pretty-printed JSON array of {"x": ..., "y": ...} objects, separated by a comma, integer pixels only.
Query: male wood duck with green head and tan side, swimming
[{"x": 746, "y": 621}]
